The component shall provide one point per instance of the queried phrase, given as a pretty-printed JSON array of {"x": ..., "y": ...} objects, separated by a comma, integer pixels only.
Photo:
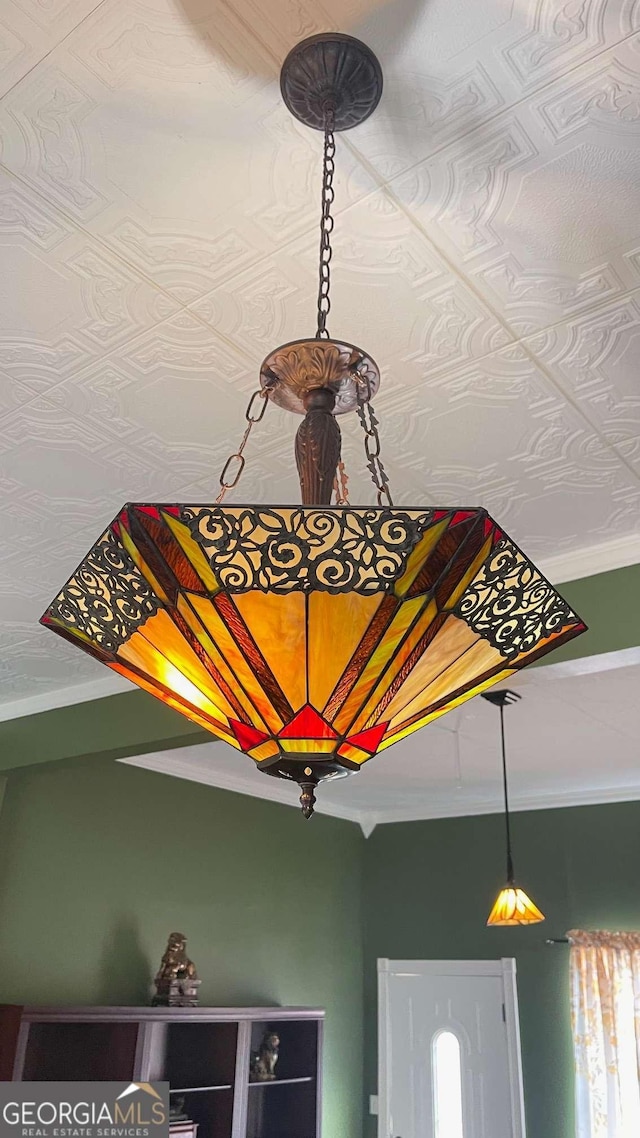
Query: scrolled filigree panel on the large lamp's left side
[{"x": 106, "y": 599}]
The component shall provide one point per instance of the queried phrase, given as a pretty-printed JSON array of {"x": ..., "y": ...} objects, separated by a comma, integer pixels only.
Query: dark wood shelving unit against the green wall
[{"x": 203, "y": 1053}]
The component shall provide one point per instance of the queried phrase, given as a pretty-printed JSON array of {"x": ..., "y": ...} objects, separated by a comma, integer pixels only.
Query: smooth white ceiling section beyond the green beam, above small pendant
[{"x": 571, "y": 741}]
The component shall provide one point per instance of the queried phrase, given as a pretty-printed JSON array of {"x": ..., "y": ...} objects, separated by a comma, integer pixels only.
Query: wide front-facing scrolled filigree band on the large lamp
[{"x": 288, "y": 550}]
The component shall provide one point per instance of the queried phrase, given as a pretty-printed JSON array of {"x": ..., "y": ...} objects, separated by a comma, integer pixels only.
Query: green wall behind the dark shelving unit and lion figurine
[{"x": 99, "y": 864}]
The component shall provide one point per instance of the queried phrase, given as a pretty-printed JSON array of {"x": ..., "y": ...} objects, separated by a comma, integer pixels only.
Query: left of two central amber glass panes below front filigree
[{"x": 277, "y": 624}]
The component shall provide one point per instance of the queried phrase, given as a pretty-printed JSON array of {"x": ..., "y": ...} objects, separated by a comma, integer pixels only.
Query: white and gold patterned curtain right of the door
[{"x": 605, "y": 994}]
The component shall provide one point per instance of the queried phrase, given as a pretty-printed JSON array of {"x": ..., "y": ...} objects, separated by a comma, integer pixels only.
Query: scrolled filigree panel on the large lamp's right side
[{"x": 512, "y": 606}]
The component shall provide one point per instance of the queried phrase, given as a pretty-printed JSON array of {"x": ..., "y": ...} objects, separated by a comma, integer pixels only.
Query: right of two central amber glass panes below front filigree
[{"x": 337, "y": 626}]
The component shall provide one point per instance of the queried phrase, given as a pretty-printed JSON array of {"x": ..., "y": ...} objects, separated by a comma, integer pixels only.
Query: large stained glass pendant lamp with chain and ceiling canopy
[{"x": 314, "y": 637}]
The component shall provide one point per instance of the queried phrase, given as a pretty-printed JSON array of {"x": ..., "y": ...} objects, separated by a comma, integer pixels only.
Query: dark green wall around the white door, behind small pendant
[{"x": 429, "y": 888}]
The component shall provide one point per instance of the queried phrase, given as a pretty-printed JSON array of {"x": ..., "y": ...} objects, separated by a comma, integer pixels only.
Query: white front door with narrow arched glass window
[{"x": 449, "y": 1050}]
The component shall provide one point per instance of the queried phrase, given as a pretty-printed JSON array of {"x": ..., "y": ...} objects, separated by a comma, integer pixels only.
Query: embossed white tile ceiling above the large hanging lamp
[{"x": 159, "y": 221}]
